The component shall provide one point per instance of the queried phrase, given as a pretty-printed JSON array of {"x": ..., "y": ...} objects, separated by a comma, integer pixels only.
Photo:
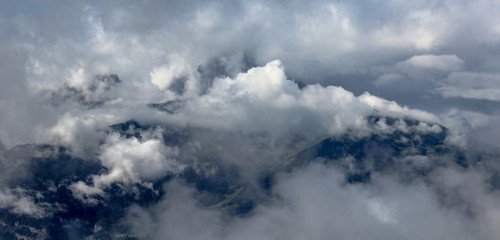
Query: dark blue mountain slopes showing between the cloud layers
[{"x": 405, "y": 147}]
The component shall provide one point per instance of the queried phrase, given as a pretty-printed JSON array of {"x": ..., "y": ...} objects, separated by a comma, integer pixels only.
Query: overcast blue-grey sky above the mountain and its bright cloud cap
[{"x": 439, "y": 56}]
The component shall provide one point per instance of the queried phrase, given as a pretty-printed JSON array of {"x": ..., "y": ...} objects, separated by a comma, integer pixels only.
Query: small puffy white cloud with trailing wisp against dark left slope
[{"x": 130, "y": 161}]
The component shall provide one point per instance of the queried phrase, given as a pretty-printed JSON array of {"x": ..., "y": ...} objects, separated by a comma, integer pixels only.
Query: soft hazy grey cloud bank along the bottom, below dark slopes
[{"x": 315, "y": 204}]
